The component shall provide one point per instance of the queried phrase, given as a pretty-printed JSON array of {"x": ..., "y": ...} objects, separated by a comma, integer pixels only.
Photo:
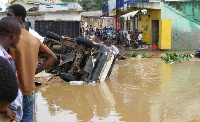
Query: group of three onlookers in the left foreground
[{"x": 19, "y": 53}]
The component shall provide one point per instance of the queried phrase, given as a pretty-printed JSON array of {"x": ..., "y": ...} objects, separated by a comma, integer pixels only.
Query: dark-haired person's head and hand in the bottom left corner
[{"x": 8, "y": 89}]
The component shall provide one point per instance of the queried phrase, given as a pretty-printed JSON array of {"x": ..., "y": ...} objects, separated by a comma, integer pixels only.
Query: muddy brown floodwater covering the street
[{"x": 138, "y": 90}]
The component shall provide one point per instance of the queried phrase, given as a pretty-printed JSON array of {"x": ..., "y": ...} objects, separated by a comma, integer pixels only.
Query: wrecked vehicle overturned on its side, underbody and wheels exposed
[{"x": 80, "y": 59}]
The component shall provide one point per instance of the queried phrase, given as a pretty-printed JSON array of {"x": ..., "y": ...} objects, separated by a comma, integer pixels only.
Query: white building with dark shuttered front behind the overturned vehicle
[{"x": 60, "y": 18}]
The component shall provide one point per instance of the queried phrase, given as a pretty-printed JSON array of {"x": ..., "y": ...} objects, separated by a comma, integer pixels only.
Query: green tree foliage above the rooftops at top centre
[{"x": 90, "y": 5}]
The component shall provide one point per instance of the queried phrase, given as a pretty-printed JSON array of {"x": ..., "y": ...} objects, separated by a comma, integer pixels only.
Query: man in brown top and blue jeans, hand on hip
[{"x": 26, "y": 55}]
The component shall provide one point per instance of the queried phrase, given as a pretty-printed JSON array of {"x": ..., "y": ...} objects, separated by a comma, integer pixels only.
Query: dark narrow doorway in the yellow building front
[{"x": 155, "y": 32}]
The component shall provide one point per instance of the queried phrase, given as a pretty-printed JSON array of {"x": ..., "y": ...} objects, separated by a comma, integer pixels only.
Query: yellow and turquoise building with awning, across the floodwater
[{"x": 172, "y": 24}]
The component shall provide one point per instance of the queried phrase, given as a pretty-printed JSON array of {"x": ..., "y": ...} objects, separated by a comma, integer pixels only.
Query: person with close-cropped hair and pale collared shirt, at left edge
[{"x": 10, "y": 31}]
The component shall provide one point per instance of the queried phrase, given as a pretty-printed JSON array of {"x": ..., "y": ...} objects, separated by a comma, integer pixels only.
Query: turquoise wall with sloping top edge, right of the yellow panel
[{"x": 185, "y": 33}]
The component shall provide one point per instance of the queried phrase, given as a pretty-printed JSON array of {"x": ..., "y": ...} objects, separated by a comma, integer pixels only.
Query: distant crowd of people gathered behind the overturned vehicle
[{"x": 108, "y": 36}]
